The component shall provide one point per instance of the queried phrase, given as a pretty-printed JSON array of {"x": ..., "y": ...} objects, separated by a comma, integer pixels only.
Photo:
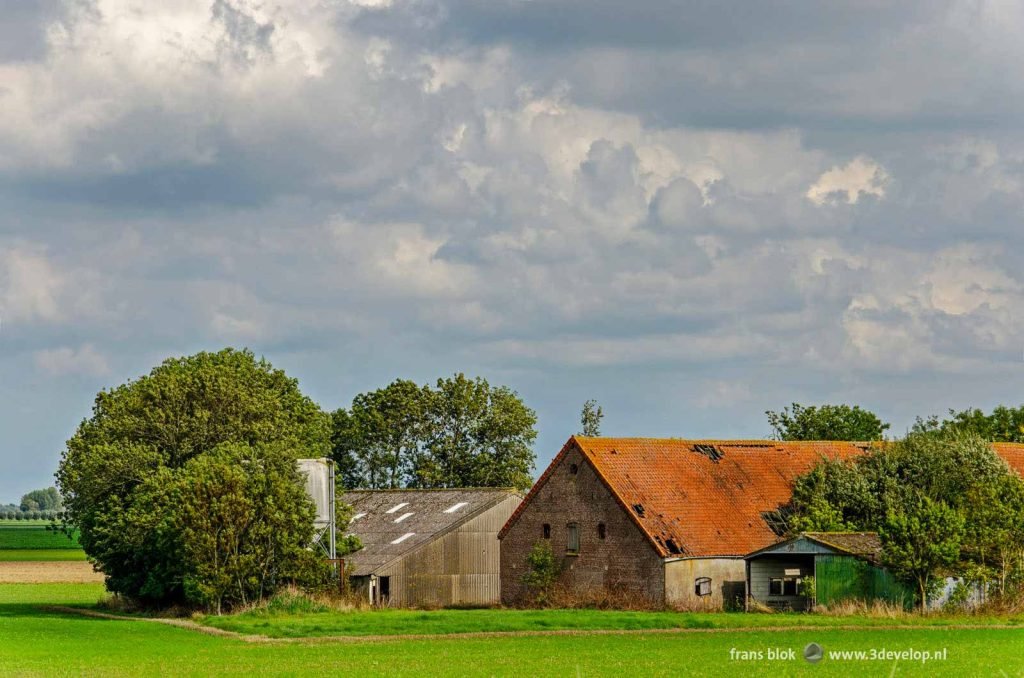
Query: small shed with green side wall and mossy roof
[{"x": 845, "y": 567}]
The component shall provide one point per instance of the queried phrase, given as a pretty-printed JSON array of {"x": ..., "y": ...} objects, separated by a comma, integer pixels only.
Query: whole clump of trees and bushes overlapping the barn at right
[{"x": 928, "y": 495}]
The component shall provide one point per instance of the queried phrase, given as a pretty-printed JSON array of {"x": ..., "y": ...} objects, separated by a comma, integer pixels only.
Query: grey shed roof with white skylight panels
[{"x": 394, "y": 523}]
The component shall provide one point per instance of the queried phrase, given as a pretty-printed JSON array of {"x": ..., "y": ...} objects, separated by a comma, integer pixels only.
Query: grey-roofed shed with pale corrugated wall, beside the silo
[{"x": 429, "y": 547}]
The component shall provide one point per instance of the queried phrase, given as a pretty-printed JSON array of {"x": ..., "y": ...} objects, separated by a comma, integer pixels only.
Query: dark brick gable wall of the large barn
[{"x": 624, "y": 562}]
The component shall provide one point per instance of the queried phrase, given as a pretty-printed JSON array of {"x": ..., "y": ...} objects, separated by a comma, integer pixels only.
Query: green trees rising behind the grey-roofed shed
[{"x": 461, "y": 434}]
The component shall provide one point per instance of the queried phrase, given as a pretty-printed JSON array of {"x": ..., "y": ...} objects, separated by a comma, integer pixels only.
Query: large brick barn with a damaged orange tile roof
[{"x": 666, "y": 521}]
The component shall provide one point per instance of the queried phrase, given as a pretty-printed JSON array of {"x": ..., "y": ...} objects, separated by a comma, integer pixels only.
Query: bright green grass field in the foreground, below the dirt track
[{"x": 37, "y": 642}]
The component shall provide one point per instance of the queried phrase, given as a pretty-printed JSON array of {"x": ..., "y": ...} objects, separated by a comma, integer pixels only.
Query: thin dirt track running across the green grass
[{"x": 320, "y": 641}]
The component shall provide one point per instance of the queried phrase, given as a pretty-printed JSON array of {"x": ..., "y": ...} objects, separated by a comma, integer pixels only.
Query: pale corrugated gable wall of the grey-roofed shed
[{"x": 460, "y": 568}]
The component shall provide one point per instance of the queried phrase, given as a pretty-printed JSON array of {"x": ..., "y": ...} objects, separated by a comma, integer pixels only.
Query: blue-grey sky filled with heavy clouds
[{"x": 692, "y": 211}]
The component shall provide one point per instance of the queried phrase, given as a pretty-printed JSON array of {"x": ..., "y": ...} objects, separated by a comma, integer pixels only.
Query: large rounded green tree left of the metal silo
[{"x": 119, "y": 473}]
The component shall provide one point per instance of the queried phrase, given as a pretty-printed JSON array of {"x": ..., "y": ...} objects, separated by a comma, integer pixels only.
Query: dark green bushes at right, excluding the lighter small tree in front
[{"x": 953, "y": 469}]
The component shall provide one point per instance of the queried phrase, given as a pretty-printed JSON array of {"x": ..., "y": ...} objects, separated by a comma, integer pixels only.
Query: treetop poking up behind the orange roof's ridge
[{"x": 827, "y": 422}]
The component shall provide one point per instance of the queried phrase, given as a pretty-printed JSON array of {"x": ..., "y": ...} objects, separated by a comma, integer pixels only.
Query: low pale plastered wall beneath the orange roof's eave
[{"x": 729, "y": 583}]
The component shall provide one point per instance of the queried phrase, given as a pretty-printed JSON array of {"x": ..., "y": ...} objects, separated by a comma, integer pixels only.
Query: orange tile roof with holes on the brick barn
[{"x": 706, "y": 498}]
